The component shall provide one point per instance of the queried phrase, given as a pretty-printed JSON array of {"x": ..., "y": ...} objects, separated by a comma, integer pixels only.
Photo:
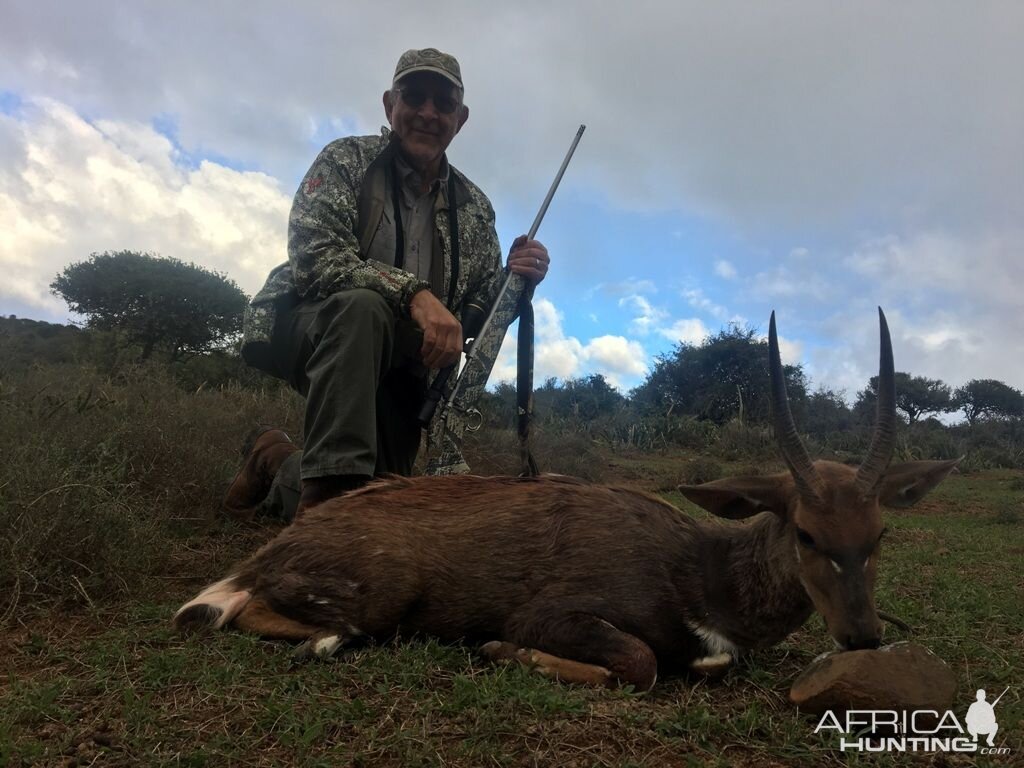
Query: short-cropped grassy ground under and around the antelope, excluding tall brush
[{"x": 111, "y": 685}]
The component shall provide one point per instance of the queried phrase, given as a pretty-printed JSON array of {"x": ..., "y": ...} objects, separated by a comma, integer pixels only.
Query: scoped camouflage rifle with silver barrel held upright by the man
[{"x": 481, "y": 349}]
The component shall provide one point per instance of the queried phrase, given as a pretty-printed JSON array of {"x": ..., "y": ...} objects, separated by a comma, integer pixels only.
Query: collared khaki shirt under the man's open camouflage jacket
[{"x": 418, "y": 216}]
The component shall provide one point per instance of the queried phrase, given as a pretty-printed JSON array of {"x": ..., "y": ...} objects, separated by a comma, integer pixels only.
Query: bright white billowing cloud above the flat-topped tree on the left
[{"x": 74, "y": 188}]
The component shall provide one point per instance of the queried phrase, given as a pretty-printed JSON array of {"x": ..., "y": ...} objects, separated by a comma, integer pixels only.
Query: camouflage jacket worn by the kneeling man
[{"x": 334, "y": 218}]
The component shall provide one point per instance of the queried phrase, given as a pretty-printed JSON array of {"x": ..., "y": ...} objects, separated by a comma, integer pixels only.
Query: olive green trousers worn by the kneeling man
[{"x": 358, "y": 367}]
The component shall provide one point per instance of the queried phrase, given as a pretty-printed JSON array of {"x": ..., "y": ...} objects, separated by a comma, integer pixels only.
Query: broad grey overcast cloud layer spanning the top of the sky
[{"x": 797, "y": 117}]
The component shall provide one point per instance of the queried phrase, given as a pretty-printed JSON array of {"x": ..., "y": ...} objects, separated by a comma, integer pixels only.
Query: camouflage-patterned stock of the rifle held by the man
[{"x": 449, "y": 425}]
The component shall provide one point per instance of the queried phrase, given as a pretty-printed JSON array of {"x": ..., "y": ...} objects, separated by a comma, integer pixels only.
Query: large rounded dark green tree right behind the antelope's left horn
[{"x": 724, "y": 378}]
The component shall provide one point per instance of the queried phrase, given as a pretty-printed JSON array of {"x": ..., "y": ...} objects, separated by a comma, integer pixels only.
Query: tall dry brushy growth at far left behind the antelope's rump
[{"x": 102, "y": 474}]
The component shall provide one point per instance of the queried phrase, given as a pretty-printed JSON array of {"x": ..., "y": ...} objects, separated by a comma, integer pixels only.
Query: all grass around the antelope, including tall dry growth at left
[{"x": 109, "y": 523}]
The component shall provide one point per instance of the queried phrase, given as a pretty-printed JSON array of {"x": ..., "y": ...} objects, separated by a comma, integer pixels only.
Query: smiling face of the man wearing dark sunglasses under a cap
[{"x": 425, "y": 116}]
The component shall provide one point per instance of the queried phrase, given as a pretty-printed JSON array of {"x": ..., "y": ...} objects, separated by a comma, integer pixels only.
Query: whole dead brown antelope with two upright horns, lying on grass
[{"x": 587, "y": 583}]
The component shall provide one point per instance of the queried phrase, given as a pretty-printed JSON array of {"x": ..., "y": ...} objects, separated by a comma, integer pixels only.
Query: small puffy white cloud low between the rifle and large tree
[{"x": 622, "y": 362}]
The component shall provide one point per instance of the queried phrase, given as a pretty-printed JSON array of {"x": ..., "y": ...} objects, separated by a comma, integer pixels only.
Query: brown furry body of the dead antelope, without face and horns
[{"x": 613, "y": 579}]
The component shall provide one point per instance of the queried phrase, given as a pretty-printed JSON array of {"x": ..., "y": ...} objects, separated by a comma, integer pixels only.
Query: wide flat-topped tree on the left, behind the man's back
[{"x": 156, "y": 303}]
